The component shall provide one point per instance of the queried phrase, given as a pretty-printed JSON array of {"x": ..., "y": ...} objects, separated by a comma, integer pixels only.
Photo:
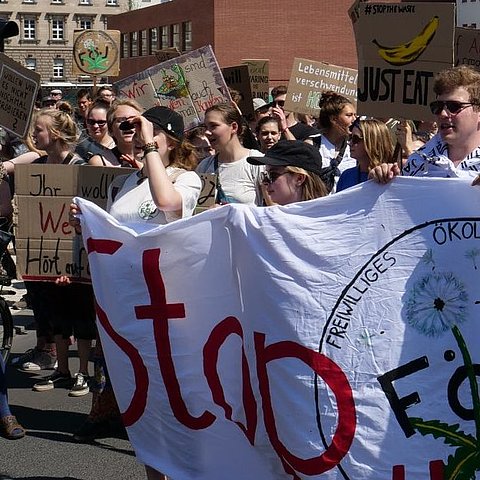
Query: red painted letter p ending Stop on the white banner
[{"x": 337, "y": 381}]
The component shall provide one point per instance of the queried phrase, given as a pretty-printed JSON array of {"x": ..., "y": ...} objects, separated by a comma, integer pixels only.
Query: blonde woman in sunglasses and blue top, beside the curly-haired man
[{"x": 370, "y": 144}]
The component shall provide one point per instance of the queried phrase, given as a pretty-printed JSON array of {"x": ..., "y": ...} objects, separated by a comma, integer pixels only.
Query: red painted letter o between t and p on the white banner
[{"x": 217, "y": 338}]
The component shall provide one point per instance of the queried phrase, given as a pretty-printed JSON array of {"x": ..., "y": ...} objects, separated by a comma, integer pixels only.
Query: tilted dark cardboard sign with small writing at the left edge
[{"x": 18, "y": 92}]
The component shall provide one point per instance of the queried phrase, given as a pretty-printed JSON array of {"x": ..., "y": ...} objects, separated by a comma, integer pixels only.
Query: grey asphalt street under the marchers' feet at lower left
[{"x": 48, "y": 451}]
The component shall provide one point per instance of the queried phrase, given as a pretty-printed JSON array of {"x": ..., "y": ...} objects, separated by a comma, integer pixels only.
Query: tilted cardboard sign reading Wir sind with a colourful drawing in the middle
[{"x": 188, "y": 84}]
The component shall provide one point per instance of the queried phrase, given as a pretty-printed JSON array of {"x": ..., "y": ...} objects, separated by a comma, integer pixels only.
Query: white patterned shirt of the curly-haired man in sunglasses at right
[{"x": 432, "y": 160}]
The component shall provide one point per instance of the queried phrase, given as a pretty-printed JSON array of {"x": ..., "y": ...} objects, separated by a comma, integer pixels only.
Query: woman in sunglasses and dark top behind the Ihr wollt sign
[{"x": 96, "y": 148}]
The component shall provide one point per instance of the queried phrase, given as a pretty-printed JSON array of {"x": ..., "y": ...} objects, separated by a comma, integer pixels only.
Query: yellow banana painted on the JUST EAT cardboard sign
[{"x": 408, "y": 52}]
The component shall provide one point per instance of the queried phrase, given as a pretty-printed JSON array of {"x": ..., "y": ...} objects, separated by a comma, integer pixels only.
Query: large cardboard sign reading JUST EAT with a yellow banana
[{"x": 396, "y": 65}]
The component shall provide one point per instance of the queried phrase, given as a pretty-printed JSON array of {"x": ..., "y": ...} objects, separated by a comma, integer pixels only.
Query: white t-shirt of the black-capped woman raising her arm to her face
[{"x": 134, "y": 203}]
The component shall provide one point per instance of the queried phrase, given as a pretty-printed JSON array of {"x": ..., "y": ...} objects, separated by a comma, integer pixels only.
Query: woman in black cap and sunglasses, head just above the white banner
[{"x": 292, "y": 172}]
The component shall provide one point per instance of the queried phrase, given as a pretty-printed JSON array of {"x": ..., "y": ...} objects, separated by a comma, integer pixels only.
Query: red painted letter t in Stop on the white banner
[{"x": 160, "y": 312}]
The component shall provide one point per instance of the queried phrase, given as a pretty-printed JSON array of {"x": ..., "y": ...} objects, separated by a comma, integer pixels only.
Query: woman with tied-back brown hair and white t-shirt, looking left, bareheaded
[{"x": 237, "y": 181}]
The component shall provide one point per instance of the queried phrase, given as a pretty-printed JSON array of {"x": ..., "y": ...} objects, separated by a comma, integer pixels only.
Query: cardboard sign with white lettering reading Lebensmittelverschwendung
[{"x": 309, "y": 79}]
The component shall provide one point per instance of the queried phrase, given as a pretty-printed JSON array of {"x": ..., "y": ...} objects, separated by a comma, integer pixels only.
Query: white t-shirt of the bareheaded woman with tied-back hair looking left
[{"x": 239, "y": 180}]
